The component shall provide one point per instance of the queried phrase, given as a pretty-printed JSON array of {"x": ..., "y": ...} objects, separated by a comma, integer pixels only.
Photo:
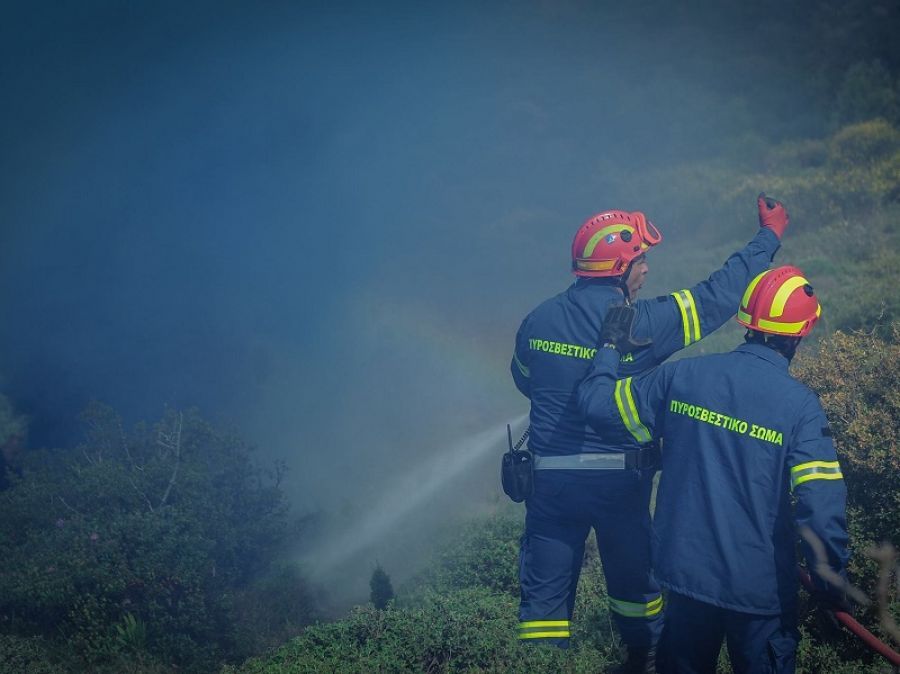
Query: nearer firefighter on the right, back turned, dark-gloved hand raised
[{"x": 747, "y": 460}]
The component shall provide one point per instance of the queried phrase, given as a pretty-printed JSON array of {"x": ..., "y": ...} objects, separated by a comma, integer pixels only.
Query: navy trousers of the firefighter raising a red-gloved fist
[{"x": 562, "y": 510}]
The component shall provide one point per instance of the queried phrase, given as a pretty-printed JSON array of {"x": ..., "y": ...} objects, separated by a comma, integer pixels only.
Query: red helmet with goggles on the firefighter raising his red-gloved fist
[{"x": 608, "y": 242}]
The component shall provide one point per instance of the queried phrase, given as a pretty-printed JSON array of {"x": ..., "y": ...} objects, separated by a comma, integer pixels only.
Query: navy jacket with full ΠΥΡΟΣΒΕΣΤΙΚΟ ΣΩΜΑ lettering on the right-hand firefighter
[{"x": 741, "y": 439}]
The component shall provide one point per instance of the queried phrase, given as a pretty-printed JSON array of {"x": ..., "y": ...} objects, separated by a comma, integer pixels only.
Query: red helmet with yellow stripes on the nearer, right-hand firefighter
[{"x": 780, "y": 301}]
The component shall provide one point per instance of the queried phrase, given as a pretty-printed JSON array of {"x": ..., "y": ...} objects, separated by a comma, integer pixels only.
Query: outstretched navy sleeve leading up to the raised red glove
[{"x": 686, "y": 316}]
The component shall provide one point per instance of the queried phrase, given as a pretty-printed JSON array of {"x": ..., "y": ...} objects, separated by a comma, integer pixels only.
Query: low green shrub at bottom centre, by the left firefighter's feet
[{"x": 470, "y": 630}]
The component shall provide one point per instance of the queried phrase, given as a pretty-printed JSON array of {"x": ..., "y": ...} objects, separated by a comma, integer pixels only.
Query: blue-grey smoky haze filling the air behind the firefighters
[{"x": 322, "y": 222}]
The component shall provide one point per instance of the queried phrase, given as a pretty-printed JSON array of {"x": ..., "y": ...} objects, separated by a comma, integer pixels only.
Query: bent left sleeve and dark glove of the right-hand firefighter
[{"x": 623, "y": 411}]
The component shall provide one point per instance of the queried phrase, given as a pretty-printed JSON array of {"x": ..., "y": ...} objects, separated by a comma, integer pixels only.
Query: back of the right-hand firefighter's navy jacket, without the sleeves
[{"x": 727, "y": 425}]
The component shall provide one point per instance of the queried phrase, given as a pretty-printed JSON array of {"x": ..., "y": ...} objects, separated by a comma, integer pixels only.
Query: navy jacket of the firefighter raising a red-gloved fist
[{"x": 556, "y": 341}]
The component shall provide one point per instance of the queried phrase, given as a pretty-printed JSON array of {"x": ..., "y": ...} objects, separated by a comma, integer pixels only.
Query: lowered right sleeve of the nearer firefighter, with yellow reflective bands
[{"x": 820, "y": 496}]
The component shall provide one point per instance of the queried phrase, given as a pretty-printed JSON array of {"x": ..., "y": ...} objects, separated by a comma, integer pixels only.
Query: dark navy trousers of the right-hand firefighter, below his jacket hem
[{"x": 694, "y": 630}]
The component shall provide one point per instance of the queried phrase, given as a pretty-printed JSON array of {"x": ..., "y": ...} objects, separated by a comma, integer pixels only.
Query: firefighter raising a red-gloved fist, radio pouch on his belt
[{"x": 582, "y": 480}]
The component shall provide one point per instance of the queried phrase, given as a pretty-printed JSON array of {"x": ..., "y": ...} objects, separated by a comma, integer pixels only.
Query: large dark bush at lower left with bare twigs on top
[{"x": 140, "y": 543}]
